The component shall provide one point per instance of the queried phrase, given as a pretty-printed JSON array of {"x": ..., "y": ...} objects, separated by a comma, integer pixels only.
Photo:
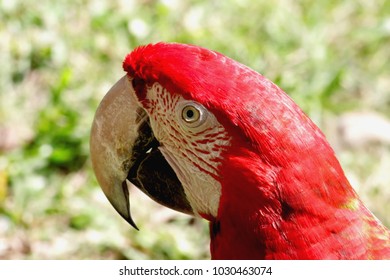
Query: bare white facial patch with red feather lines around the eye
[{"x": 192, "y": 141}]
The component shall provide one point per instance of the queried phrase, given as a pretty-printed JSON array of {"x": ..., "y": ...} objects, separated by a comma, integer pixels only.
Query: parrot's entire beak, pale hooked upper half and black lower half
[{"x": 124, "y": 150}]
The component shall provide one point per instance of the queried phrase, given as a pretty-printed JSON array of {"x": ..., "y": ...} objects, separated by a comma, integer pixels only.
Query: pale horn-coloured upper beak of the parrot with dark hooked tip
[{"x": 112, "y": 137}]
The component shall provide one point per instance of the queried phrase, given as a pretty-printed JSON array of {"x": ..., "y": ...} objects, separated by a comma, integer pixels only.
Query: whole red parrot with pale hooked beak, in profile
[{"x": 205, "y": 135}]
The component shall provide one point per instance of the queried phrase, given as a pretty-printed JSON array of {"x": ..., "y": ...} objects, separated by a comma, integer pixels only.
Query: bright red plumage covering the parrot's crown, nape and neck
[{"x": 284, "y": 193}]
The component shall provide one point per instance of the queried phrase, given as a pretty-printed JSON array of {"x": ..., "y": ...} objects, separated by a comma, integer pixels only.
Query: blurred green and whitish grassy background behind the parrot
[{"x": 58, "y": 58}]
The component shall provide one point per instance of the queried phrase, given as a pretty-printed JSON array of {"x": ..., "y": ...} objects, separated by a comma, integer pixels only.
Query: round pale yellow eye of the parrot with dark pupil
[{"x": 192, "y": 114}]
